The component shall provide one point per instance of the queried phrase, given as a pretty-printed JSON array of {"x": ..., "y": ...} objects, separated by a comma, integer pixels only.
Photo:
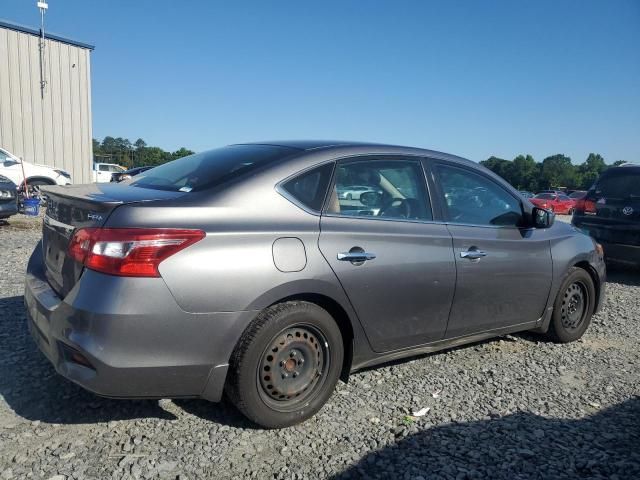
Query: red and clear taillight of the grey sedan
[{"x": 129, "y": 252}]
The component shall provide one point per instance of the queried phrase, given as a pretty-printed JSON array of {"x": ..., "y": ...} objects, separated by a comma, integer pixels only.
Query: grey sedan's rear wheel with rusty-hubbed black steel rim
[{"x": 286, "y": 364}]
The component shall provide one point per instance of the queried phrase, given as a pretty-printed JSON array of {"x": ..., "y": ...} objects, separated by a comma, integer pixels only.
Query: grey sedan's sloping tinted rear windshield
[{"x": 210, "y": 168}]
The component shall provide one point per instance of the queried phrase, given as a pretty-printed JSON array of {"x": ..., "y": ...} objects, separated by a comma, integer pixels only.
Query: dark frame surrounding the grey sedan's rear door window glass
[{"x": 417, "y": 159}]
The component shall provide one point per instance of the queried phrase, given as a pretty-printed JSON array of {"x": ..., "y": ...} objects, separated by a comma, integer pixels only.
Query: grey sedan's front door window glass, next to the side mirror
[{"x": 473, "y": 199}]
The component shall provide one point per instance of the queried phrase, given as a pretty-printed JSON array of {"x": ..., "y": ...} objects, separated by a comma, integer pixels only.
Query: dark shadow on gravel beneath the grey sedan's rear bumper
[{"x": 33, "y": 390}]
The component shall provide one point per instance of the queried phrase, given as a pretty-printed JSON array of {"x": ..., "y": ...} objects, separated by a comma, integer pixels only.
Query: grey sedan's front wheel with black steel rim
[{"x": 573, "y": 307}]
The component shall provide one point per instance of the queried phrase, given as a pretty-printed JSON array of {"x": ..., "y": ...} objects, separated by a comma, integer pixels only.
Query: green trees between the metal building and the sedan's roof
[{"x": 137, "y": 154}]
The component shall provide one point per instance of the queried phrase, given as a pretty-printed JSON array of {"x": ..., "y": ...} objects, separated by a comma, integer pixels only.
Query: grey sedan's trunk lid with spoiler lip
[{"x": 80, "y": 206}]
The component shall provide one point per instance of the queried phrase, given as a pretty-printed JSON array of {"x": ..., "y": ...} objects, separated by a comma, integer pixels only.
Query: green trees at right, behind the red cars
[{"x": 556, "y": 171}]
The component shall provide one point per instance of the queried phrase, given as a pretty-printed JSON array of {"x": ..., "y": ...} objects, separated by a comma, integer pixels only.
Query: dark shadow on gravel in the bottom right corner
[{"x": 522, "y": 445}]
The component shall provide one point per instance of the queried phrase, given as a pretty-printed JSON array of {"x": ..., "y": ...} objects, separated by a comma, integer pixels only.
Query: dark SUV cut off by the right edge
[{"x": 610, "y": 213}]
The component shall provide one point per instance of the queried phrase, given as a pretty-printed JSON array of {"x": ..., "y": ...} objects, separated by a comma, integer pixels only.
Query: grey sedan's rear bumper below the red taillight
[{"x": 127, "y": 338}]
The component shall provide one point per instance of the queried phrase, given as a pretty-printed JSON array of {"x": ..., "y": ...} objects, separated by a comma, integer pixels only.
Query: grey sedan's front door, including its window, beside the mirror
[{"x": 504, "y": 272}]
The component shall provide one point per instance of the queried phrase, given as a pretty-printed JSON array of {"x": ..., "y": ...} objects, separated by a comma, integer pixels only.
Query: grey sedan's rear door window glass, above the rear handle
[{"x": 389, "y": 189}]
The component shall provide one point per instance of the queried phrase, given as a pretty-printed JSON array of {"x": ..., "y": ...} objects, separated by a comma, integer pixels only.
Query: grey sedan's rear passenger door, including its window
[{"x": 396, "y": 265}]
